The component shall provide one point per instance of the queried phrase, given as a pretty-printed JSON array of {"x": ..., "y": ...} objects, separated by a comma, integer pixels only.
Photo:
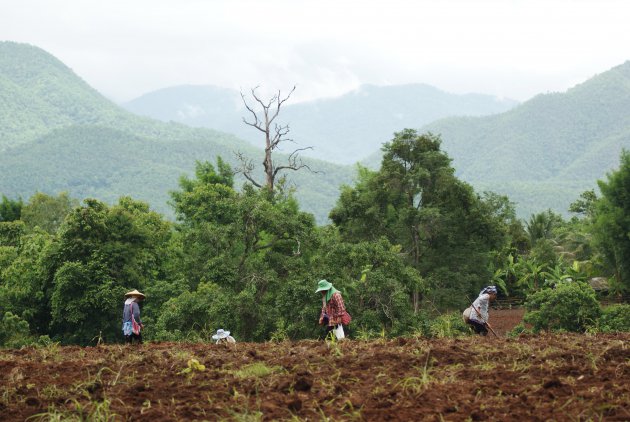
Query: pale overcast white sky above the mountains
[{"x": 515, "y": 49}]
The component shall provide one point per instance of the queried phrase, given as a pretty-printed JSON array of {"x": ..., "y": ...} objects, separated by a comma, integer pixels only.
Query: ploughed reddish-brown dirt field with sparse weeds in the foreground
[{"x": 533, "y": 378}]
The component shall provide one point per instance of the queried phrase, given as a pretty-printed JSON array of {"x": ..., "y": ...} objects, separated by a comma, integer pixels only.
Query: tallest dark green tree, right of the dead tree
[{"x": 445, "y": 230}]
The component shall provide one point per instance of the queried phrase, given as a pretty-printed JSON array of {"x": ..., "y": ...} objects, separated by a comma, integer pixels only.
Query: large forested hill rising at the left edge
[{"x": 59, "y": 134}]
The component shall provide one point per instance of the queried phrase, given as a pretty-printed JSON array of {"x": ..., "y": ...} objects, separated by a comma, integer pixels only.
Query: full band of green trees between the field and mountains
[{"x": 407, "y": 244}]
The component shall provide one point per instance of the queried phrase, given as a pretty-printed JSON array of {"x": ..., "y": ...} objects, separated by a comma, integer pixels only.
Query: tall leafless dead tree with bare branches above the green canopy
[{"x": 263, "y": 119}]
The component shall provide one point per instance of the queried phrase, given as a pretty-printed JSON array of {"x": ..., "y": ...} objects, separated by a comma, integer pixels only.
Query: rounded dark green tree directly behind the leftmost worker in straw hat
[{"x": 103, "y": 252}]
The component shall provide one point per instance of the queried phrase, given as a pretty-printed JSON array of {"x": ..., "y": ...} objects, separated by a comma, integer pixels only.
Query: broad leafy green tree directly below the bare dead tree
[{"x": 247, "y": 243}]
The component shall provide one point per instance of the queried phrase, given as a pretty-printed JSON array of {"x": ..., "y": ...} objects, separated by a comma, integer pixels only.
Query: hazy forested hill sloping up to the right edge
[{"x": 546, "y": 151}]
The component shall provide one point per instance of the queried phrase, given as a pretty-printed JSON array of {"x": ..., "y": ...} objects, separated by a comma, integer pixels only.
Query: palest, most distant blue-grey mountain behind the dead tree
[{"x": 344, "y": 129}]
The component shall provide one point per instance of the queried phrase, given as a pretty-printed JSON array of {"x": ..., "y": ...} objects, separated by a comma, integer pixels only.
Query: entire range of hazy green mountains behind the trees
[{"x": 59, "y": 134}]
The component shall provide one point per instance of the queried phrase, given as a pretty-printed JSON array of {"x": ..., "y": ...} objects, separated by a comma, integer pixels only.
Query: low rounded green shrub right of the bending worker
[{"x": 569, "y": 306}]
